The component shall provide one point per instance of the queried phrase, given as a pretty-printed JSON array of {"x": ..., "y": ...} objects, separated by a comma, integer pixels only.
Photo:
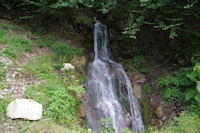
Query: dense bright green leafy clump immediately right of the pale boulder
[{"x": 62, "y": 106}]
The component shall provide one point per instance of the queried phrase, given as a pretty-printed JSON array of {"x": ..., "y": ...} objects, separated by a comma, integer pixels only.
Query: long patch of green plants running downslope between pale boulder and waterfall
[{"x": 54, "y": 91}]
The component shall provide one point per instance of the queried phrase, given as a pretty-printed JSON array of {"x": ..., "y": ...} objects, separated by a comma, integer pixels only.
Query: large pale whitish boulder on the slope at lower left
[{"x": 25, "y": 109}]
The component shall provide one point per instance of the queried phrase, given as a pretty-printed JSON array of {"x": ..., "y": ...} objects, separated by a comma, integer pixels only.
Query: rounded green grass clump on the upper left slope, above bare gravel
[{"x": 17, "y": 45}]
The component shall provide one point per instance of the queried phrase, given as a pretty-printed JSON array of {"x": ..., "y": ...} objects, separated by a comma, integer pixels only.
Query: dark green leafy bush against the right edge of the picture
[{"x": 183, "y": 86}]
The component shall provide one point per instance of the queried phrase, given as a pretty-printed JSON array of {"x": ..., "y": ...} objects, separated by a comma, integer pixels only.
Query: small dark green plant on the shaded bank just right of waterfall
[{"x": 138, "y": 62}]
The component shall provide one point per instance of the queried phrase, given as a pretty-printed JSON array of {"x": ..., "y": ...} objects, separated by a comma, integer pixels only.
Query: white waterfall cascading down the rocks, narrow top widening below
[{"x": 105, "y": 86}]
